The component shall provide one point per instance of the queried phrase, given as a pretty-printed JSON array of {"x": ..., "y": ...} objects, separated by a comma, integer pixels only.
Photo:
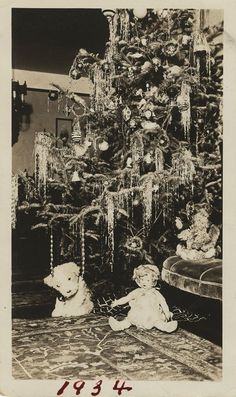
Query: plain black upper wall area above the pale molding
[{"x": 47, "y": 40}]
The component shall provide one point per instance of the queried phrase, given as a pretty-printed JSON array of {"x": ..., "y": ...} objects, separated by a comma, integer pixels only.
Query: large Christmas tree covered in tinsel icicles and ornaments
[{"x": 147, "y": 150}]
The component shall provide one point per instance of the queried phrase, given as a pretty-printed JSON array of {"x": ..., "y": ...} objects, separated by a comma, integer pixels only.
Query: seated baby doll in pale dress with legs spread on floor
[{"x": 148, "y": 308}]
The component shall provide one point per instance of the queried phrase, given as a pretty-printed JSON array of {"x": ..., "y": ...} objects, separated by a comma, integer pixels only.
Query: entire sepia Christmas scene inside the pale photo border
[{"x": 117, "y": 141}]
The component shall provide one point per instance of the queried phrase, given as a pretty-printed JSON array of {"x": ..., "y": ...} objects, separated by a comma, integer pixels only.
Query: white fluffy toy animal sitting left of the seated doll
[{"x": 76, "y": 297}]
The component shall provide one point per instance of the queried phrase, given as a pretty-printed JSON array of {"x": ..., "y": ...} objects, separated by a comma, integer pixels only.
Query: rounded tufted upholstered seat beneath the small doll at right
[{"x": 203, "y": 278}]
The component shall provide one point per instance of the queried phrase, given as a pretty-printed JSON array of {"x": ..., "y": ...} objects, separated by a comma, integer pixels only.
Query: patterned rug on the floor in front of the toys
[{"x": 86, "y": 348}]
